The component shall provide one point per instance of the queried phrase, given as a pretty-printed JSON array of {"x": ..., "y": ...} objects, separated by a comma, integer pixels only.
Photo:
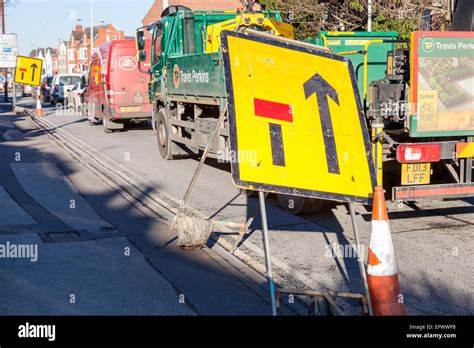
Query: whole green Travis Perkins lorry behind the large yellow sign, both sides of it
[{"x": 418, "y": 153}]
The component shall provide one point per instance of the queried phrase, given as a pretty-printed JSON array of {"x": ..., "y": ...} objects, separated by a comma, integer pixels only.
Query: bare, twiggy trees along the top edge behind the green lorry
[{"x": 310, "y": 17}]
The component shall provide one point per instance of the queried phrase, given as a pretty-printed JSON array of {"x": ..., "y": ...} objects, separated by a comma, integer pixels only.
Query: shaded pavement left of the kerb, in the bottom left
[{"x": 86, "y": 250}]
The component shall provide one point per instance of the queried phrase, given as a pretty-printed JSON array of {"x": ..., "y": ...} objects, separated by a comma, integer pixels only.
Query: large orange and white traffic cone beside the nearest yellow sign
[{"x": 382, "y": 276}]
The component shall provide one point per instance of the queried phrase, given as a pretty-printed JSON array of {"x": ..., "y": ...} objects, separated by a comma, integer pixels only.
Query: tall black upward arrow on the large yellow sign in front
[{"x": 319, "y": 86}]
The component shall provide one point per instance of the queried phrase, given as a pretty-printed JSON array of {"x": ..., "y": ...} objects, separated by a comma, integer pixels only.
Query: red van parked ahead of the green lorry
[{"x": 117, "y": 91}]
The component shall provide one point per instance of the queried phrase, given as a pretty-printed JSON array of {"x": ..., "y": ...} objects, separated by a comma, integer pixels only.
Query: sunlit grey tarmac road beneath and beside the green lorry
[{"x": 433, "y": 239}]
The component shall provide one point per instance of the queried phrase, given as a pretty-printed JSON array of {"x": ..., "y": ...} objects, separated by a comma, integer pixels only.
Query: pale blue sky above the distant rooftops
[{"x": 40, "y": 23}]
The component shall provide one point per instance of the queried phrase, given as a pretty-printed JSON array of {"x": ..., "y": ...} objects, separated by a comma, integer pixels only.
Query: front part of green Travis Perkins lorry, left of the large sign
[{"x": 187, "y": 87}]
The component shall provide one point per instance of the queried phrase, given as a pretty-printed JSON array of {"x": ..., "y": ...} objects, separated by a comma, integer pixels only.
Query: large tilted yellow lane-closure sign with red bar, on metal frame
[{"x": 296, "y": 125}]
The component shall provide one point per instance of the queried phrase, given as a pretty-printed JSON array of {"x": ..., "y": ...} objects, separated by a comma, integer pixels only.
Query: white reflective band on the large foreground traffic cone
[{"x": 382, "y": 247}]
